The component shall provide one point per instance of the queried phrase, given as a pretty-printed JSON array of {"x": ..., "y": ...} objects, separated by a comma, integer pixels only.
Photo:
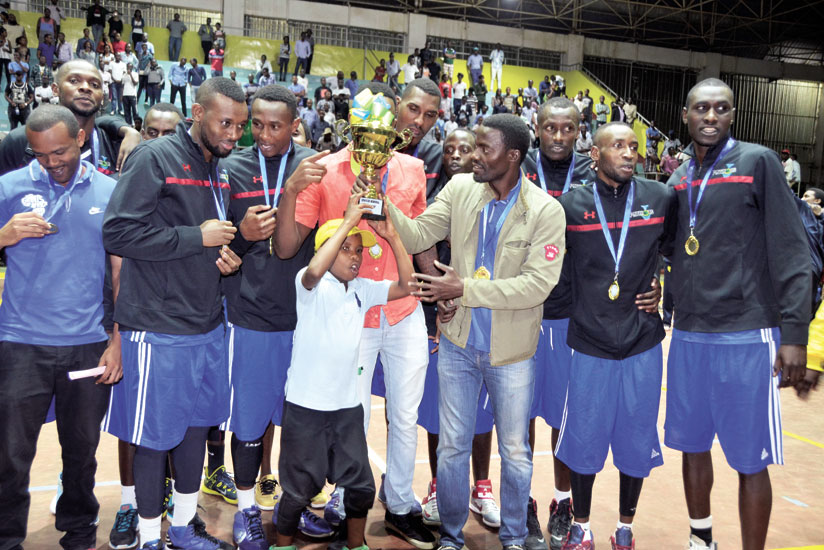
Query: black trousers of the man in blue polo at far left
[{"x": 29, "y": 376}]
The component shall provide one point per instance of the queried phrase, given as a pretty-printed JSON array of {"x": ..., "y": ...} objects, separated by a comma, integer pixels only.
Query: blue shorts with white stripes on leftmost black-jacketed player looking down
[{"x": 170, "y": 382}]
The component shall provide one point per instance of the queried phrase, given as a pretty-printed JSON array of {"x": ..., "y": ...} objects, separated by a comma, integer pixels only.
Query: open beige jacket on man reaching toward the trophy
[{"x": 528, "y": 260}]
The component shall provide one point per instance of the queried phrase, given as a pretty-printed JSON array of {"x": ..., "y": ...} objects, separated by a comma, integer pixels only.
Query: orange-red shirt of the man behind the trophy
[{"x": 406, "y": 187}]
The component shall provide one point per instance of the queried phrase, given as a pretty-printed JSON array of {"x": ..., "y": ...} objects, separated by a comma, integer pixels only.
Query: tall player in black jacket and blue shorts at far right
[{"x": 741, "y": 283}]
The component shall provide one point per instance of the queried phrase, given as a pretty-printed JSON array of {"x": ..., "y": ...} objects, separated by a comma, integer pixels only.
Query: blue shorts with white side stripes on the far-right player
[{"x": 723, "y": 384}]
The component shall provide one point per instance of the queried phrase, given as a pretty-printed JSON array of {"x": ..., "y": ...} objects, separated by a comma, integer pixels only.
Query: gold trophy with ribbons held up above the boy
[{"x": 373, "y": 141}]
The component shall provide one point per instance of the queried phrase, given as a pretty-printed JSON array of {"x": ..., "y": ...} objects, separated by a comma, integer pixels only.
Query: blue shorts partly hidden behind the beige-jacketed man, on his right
[{"x": 552, "y": 360}]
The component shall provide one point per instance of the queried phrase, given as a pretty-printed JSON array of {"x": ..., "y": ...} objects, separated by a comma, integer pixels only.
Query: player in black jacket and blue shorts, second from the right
[{"x": 615, "y": 229}]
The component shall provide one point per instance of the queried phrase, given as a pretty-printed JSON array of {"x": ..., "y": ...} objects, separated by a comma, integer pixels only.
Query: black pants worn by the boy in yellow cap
[{"x": 321, "y": 445}]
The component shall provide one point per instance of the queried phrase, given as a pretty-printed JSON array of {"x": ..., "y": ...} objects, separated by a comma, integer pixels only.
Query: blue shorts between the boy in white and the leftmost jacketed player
[{"x": 258, "y": 362}]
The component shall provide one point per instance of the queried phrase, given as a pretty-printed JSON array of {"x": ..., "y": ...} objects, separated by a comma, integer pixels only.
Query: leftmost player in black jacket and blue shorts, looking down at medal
[{"x": 167, "y": 219}]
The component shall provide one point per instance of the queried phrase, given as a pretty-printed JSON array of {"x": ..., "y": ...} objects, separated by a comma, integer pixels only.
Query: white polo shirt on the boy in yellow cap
[{"x": 323, "y": 375}]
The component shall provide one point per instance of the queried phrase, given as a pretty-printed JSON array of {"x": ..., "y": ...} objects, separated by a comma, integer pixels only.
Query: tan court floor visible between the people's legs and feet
[{"x": 661, "y": 523}]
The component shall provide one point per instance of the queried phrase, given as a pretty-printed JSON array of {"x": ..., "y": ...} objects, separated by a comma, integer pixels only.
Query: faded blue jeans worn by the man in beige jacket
[{"x": 460, "y": 375}]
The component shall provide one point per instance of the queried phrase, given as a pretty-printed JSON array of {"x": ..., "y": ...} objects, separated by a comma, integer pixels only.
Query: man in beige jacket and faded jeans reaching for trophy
[{"x": 507, "y": 251}]
